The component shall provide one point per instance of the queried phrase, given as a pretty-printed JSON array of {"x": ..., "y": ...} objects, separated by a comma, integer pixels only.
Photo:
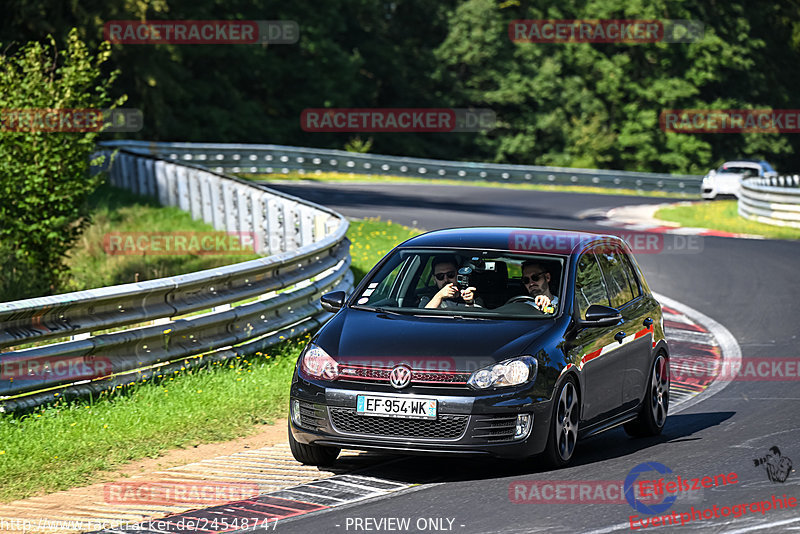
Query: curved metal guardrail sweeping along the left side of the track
[{"x": 308, "y": 256}]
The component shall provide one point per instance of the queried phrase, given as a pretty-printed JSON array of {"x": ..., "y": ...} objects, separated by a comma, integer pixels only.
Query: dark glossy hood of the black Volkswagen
[{"x": 385, "y": 339}]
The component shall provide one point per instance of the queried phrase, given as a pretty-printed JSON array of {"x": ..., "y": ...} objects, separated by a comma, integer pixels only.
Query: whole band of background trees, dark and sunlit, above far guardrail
[{"x": 574, "y": 104}]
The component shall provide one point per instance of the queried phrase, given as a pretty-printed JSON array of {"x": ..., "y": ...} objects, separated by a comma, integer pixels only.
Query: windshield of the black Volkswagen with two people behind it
[{"x": 466, "y": 282}]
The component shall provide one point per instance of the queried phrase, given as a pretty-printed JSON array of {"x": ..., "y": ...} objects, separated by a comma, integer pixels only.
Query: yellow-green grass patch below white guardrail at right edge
[{"x": 723, "y": 215}]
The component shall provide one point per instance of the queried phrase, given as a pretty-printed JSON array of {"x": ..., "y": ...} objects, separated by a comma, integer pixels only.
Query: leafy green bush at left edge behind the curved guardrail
[{"x": 44, "y": 179}]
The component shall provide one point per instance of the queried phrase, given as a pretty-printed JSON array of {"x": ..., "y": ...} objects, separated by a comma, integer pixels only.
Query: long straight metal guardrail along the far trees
[{"x": 284, "y": 159}]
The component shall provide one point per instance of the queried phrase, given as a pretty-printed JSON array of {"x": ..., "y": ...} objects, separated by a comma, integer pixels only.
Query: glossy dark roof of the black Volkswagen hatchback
[{"x": 527, "y": 240}]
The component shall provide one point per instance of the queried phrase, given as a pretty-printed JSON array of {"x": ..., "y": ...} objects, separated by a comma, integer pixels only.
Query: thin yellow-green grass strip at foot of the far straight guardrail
[{"x": 362, "y": 178}]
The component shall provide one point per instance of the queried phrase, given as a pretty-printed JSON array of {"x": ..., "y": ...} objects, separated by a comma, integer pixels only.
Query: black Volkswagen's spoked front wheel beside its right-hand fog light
[{"x": 563, "y": 434}]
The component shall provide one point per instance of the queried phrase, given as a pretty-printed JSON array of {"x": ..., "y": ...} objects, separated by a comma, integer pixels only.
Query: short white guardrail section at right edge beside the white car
[{"x": 774, "y": 201}]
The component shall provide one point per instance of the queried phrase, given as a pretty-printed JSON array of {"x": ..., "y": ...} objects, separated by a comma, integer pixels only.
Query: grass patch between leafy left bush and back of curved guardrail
[{"x": 117, "y": 210}]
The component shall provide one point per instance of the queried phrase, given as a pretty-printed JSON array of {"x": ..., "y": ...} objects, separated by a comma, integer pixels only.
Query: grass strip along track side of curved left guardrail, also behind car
[{"x": 67, "y": 445}]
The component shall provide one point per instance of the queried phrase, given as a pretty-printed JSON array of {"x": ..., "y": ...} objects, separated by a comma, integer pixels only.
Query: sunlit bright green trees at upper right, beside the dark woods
[{"x": 597, "y": 105}]
